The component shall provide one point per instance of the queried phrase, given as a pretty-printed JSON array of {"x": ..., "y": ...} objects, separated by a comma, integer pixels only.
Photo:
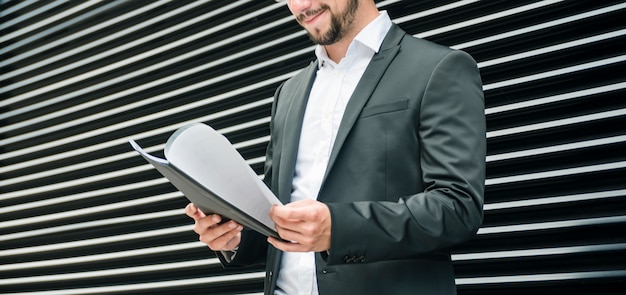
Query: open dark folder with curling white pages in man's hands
[{"x": 203, "y": 165}]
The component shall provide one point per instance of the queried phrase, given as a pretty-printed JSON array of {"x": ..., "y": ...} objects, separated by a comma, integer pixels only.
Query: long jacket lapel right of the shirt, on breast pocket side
[{"x": 364, "y": 90}]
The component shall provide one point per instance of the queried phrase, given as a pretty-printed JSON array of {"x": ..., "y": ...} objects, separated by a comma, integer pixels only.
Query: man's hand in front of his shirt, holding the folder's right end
[{"x": 305, "y": 223}]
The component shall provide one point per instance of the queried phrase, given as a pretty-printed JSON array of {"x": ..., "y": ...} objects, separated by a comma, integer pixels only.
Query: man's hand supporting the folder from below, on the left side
[{"x": 219, "y": 237}]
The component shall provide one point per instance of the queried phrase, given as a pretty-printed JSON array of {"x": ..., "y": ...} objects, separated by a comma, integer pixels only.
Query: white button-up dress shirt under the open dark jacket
[{"x": 333, "y": 86}]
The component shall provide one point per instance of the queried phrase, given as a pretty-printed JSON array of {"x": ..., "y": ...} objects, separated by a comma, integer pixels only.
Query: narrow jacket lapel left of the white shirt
[{"x": 292, "y": 126}]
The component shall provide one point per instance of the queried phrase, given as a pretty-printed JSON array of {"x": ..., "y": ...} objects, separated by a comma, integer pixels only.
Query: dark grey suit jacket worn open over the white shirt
[{"x": 405, "y": 179}]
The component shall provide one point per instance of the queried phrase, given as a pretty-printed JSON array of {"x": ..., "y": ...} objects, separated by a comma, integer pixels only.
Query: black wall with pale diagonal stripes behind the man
[{"x": 81, "y": 213}]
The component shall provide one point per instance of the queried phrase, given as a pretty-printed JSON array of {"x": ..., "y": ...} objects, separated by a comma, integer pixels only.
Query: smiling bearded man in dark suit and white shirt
[{"x": 378, "y": 151}]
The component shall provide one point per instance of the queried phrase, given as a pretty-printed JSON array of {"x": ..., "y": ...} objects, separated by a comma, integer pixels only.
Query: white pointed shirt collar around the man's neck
[{"x": 371, "y": 37}]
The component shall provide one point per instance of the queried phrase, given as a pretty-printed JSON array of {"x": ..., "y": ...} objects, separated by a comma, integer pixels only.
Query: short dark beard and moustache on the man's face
[{"x": 340, "y": 25}]
